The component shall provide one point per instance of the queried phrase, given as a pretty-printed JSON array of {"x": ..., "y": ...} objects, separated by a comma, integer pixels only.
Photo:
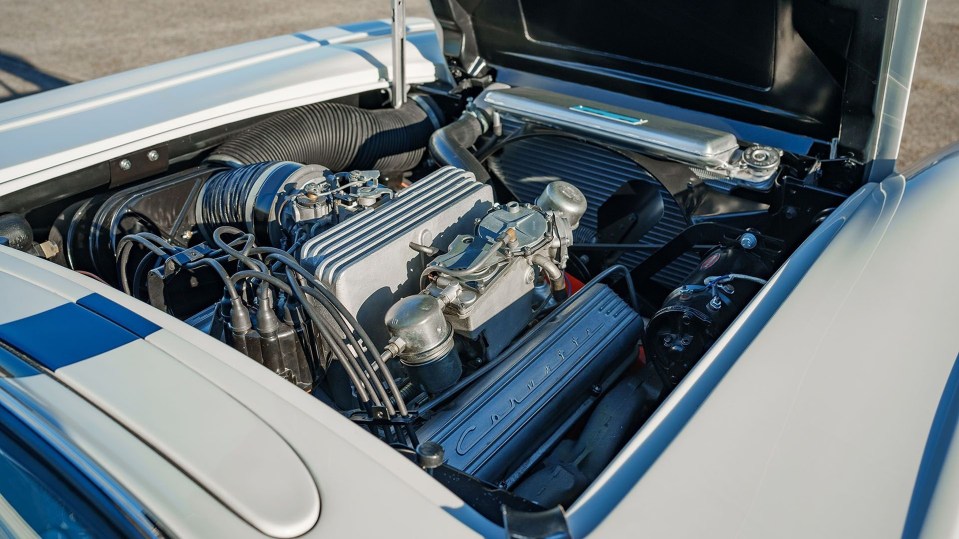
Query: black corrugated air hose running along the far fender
[{"x": 335, "y": 135}]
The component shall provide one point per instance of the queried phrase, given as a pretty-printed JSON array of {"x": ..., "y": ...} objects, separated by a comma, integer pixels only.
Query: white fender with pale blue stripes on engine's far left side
[{"x": 52, "y": 133}]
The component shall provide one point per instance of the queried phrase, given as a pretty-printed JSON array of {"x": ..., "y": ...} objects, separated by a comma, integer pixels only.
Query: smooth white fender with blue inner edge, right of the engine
[{"x": 810, "y": 416}]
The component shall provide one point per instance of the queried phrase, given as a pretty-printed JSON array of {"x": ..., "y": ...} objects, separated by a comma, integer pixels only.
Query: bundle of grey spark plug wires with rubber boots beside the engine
[{"x": 266, "y": 289}]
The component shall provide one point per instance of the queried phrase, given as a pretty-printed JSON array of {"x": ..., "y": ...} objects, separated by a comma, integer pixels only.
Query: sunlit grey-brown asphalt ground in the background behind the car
[{"x": 47, "y": 44}]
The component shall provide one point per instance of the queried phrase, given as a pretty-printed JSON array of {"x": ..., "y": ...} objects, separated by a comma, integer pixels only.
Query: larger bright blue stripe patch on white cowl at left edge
[{"x": 64, "y": 335}]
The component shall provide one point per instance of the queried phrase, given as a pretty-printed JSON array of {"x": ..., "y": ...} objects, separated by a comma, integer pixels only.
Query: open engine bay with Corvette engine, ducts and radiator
[{"x": 501, "y": 283}]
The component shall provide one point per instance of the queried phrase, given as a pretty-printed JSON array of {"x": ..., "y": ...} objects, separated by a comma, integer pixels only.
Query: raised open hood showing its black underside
[{"x": 809, "y": 67}]
